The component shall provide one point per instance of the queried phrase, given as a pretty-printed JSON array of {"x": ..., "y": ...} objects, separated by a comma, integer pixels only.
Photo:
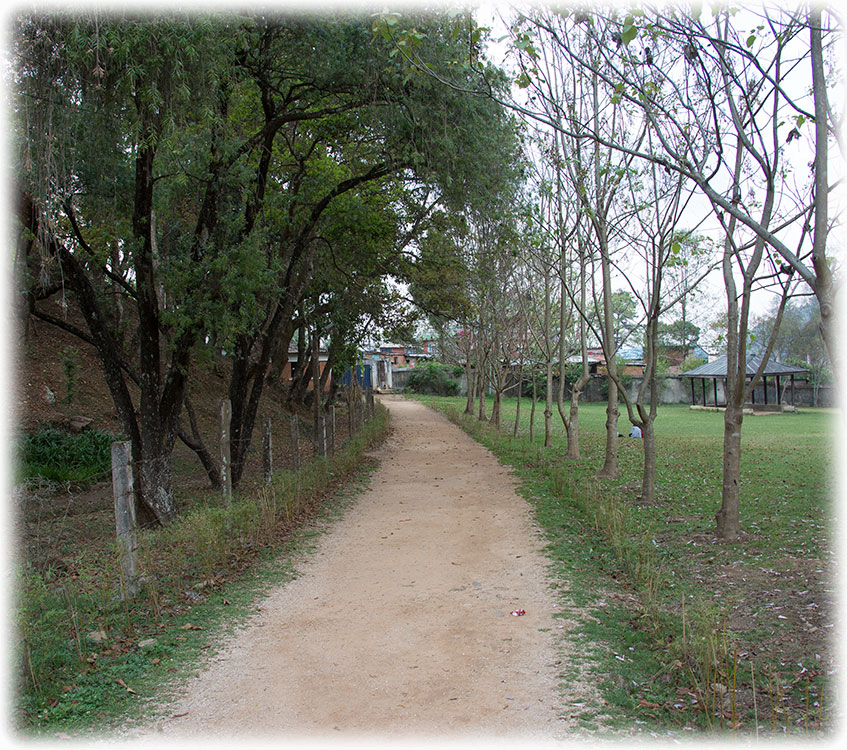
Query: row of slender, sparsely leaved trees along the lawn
[{"x": 662, "y": 144}]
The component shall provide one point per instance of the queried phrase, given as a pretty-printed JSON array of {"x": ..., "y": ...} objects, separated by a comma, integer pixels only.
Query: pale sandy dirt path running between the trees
[{"x": 400, "y": 623}]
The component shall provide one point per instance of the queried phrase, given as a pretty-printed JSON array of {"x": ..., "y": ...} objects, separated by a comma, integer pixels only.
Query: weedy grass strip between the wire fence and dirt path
[{"x": 73, "y": 628}]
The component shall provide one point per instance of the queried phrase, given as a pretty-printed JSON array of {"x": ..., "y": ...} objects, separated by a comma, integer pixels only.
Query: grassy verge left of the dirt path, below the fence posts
[{"x": 90, "y": 660}]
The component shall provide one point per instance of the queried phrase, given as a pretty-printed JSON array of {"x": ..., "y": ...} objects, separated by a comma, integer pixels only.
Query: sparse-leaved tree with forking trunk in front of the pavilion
[{"x": 729, "y": 91}]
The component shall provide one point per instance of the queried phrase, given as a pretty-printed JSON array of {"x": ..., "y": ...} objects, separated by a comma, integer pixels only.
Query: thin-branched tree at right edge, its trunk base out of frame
[{"x": 744, "y": 76}]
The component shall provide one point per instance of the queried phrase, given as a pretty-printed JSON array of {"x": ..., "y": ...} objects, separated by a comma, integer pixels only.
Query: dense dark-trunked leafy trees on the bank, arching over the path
[{"x": 232, "y": 182}]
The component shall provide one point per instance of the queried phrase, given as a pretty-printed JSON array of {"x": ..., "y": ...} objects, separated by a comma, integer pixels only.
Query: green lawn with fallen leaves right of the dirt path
[{"x": 736, "y": 636}]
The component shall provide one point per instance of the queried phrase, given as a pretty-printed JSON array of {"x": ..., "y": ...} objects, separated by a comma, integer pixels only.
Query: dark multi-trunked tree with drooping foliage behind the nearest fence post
[{"x": 101, "y": 104}]
